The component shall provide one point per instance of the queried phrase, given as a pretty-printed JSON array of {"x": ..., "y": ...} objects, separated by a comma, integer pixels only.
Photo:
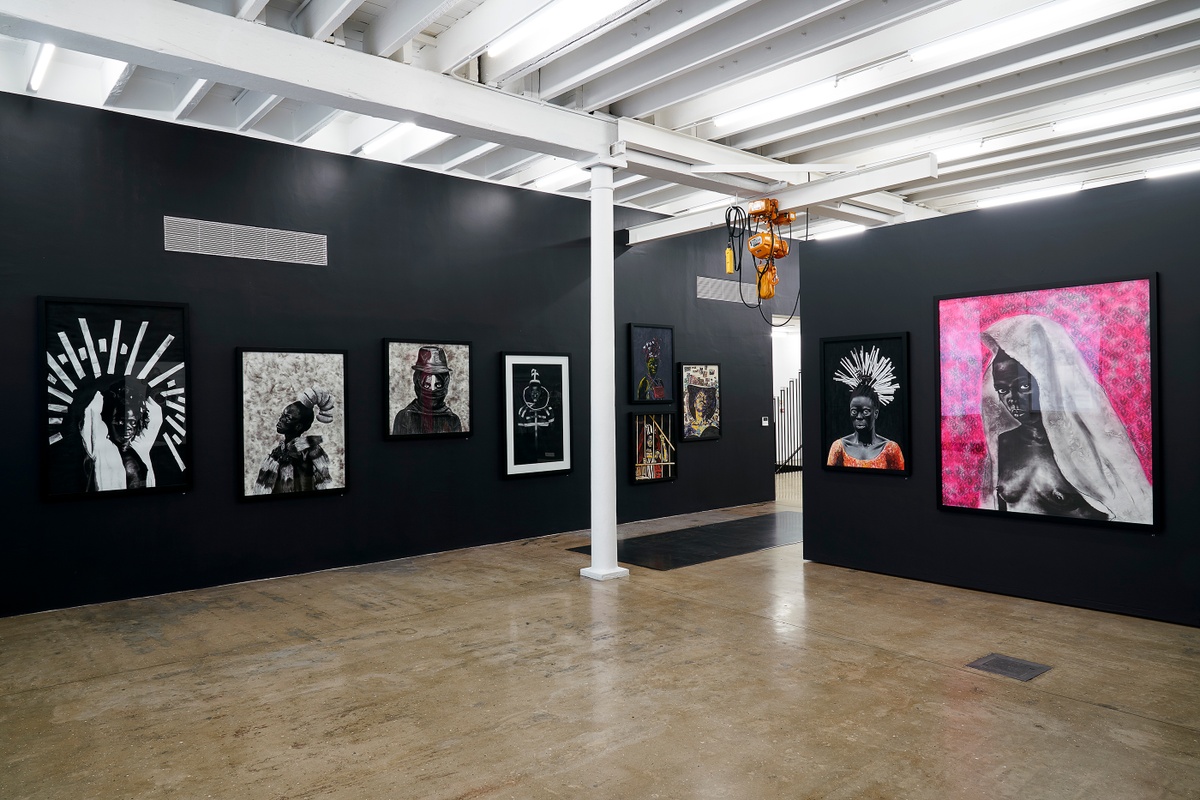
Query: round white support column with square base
[{"x": 604, "y": 386}]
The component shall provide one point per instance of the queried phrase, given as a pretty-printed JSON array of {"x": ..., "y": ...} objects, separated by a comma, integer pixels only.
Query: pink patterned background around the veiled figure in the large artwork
[{"x": 1109, "y": 324}]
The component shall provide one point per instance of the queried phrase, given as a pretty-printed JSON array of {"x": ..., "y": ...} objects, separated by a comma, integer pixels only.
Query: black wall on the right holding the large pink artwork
[{"x": 887, "y": 280}]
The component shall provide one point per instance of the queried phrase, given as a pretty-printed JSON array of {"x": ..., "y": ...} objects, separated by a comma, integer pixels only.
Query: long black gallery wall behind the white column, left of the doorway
[{"x": 412, "y": 255}]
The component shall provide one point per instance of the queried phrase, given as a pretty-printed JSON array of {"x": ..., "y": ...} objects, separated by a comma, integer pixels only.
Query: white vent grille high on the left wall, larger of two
[{"x": 183, "y": 236}]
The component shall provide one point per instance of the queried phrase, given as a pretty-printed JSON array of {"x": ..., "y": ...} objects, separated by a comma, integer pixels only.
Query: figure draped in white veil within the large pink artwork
[{"x": 1057, "y": 446}]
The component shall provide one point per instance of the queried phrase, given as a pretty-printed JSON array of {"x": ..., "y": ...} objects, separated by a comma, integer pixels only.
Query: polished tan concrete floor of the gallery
[{"x": 499, "y": 672}]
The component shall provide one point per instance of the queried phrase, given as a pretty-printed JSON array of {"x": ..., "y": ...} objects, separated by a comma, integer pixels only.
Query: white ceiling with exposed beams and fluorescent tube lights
[{"x": 833, "y": 106}]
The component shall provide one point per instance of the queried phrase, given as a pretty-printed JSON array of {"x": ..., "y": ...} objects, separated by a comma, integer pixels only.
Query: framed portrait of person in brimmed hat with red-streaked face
[{"x": 429, "y": 389}]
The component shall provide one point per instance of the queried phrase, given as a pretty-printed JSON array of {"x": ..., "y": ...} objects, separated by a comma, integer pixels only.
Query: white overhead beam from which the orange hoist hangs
[{"x": 829, "y": 190}]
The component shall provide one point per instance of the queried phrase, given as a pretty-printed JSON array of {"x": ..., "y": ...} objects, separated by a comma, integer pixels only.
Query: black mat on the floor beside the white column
[{"x": 677, "y": 549}]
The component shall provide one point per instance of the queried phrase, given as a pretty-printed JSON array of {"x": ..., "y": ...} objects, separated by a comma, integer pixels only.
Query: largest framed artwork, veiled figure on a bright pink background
[{"x": 1048, "y": 400}]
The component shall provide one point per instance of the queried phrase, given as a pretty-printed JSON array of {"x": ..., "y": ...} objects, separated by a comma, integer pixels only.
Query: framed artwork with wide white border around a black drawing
[{"x": 537, "y": 414}]
